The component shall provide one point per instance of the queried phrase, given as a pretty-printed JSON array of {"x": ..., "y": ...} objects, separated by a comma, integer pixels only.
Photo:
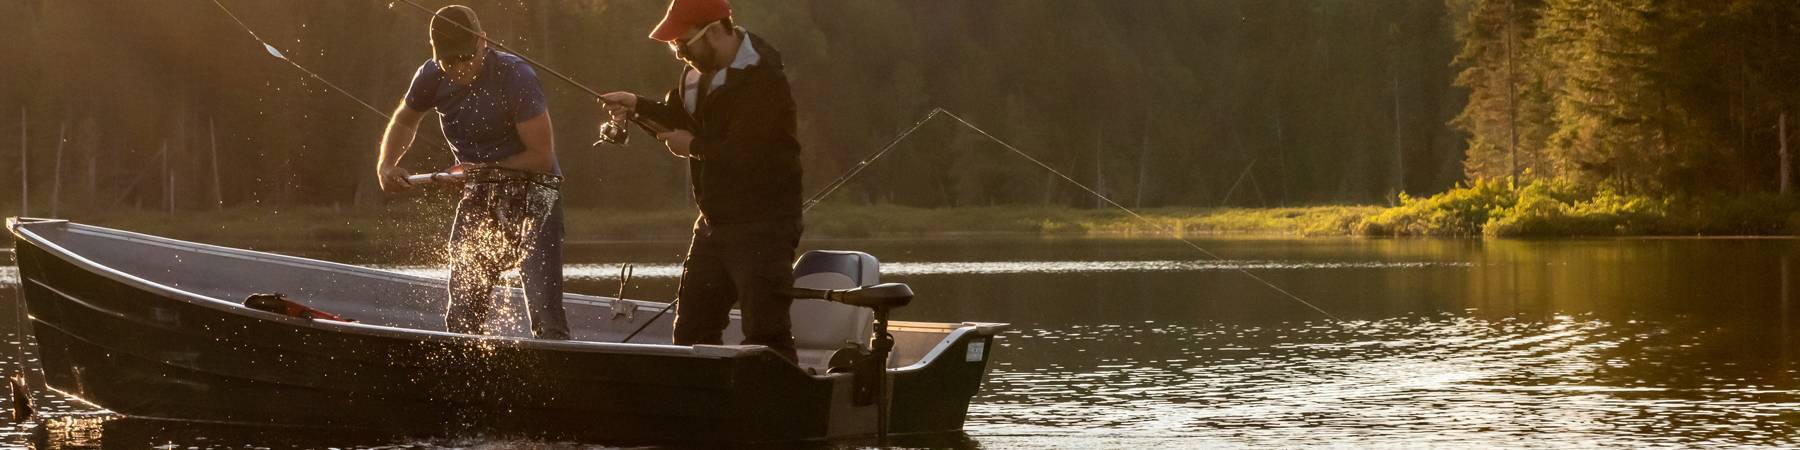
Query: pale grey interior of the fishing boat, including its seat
[{"x": 381, "y": 298}]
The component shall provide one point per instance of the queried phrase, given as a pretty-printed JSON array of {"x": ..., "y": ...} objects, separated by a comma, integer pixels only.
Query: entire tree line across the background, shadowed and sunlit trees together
[{"x": 1153, "y": 103}]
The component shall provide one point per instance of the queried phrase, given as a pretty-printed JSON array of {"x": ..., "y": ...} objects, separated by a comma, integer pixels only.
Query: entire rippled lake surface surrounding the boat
[{"x": 1128, "y": 343}]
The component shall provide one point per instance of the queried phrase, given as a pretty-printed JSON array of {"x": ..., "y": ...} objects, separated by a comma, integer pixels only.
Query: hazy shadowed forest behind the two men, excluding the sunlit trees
[{"x": 1155, "y": 103}]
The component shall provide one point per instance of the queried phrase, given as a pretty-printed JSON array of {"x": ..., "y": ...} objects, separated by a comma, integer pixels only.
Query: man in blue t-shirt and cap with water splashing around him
[{"x": 492, "y": 111}]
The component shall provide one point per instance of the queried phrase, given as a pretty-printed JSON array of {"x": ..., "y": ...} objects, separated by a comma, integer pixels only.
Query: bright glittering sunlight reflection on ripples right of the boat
[{"x": 1448, "y": 381}]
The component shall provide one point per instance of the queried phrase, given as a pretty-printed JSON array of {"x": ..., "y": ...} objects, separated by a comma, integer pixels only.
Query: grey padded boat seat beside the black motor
[{"x": 827, "y": 327}]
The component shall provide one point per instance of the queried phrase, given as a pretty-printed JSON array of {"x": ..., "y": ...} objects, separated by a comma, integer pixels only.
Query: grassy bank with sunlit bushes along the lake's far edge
[{"x": 1479, "y": 210}]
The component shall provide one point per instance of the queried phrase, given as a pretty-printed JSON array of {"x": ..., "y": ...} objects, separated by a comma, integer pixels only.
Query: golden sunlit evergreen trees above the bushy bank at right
[{"x": 1642, "y": 96}]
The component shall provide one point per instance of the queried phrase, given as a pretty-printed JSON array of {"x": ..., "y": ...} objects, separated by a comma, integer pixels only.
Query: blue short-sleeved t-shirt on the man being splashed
[{"x": 480, "y": 120}]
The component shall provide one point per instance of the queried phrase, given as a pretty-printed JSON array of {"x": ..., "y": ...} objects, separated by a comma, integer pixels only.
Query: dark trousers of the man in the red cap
[{"x": 746, "y": 265}]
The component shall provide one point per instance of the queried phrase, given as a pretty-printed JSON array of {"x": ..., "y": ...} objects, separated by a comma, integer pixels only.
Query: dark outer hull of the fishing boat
[{"x": 150, "y": 352}]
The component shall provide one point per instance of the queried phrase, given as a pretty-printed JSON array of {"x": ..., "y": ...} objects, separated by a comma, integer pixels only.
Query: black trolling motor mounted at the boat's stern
[{"x": 870, "y": 372}]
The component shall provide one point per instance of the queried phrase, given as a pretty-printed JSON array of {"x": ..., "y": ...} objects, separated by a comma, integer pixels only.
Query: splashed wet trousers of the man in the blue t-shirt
[{"x": 498, "y": 228}]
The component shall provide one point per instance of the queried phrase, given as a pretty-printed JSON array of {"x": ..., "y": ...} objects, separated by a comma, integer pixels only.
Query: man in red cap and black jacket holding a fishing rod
[{"x": 732, "y": 118}]
